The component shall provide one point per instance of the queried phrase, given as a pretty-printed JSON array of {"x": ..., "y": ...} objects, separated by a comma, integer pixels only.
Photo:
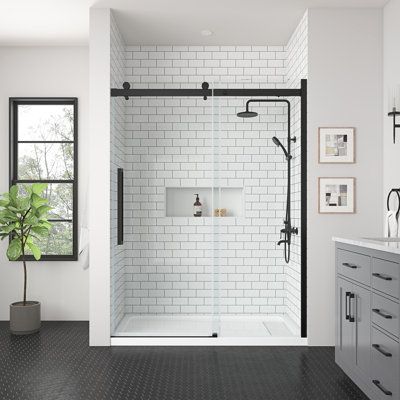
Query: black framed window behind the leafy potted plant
[{"x": 43, "y": 148}]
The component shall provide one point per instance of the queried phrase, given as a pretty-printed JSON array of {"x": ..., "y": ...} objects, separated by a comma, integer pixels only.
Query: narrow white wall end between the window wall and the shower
[{"x": 99, "y": 185}]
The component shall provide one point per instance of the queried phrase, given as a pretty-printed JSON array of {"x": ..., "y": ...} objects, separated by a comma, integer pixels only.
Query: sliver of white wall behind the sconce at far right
[{"x": 391, "y": 78}]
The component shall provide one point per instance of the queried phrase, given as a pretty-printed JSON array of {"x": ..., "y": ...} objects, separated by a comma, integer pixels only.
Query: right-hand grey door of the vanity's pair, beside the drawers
[{"x": 362, "y": 326}]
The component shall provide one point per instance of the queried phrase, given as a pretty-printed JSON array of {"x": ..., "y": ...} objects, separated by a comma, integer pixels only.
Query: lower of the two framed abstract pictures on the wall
[{"x": 336, "y": 195}]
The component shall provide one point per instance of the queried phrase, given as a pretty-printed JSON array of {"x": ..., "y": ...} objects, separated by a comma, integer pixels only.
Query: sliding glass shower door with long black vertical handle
[{"x": 171, "y": 257}]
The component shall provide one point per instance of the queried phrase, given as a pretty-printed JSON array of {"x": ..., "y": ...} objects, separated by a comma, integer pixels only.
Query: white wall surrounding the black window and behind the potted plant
[{"x": 61, "y": 287}]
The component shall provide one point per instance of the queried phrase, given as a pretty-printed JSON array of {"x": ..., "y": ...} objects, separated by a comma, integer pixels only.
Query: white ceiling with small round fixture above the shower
[{"x": 235, "y": 22}]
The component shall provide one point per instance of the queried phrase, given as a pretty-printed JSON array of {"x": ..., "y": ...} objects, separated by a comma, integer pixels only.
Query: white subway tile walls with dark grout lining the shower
[{"x": 167, "y": 142}]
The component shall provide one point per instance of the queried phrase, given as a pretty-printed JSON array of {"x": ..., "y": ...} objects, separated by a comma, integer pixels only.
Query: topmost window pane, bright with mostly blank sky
[{"x": 45, "y": 122}]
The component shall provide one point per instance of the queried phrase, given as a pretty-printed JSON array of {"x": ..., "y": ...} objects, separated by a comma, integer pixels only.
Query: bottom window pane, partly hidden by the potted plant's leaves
[{"x": 59, "y": 242}]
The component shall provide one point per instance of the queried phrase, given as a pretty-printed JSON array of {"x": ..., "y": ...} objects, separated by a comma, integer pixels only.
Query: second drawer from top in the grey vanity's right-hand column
[{"x": 385, "y": 313}]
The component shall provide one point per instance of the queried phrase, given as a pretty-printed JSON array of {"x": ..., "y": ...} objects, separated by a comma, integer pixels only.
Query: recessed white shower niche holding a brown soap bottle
[{"x": 179, "y": 201}]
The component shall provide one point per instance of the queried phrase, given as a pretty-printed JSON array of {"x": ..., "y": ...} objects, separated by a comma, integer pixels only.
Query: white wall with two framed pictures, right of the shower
[{"x": 345, "y": 89}]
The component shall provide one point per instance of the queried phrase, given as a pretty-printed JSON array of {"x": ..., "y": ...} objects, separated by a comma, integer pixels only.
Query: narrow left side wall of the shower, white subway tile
[{"x": 117, "y": 155}]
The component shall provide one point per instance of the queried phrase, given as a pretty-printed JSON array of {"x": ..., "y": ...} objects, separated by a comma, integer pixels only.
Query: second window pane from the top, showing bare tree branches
[{"x": 45, "y": 161}]
